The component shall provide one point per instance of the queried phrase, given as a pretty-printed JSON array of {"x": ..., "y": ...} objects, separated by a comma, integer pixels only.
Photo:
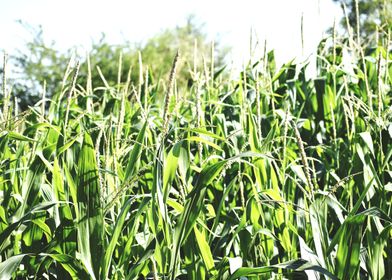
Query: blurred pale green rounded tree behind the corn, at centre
[{"x": 157, "y": 54}]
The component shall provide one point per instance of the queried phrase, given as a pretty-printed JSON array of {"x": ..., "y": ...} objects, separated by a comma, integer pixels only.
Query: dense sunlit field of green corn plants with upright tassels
[{"x": 269, "y": 175}]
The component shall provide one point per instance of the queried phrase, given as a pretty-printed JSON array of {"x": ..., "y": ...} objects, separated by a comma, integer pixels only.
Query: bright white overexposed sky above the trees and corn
[{"x": 78, "y": 22}]
